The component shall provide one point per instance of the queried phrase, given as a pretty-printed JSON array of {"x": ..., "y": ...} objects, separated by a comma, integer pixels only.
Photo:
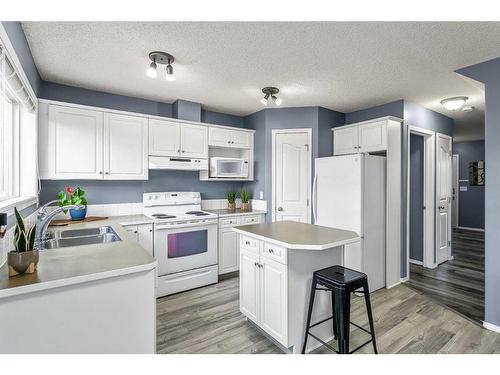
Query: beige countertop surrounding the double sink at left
[{"x": 80, "y": 264}]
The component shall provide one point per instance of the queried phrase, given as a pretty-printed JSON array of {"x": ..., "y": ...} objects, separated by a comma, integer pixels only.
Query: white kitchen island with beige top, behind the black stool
[{"x": 277, "y": 261}]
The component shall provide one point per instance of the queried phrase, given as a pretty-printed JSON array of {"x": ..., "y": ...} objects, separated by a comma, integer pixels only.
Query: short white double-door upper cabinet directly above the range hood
[{"x": 172, "y": 138}]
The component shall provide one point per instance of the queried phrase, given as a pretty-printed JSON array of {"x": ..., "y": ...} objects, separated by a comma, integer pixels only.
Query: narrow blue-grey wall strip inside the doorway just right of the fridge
[{"x": 416, "y": 197}]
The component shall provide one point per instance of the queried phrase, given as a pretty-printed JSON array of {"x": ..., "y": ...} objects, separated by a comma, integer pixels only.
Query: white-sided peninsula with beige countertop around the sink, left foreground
[{"x": 96, "y": 298}]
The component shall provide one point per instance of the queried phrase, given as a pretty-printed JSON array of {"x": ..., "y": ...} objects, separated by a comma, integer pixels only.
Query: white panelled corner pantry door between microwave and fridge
[{"x": 291, "y": 183}]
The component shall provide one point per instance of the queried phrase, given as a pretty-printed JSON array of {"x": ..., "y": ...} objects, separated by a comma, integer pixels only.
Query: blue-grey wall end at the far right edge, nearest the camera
[{"x": 489, "y": 73}]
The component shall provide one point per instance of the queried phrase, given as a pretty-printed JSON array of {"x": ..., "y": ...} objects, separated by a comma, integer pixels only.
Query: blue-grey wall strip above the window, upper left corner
[{"x": 18, "y": 39}]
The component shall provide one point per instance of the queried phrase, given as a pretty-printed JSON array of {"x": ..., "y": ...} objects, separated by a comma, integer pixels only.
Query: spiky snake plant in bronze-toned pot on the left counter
[{"x": 24, "y": 258}]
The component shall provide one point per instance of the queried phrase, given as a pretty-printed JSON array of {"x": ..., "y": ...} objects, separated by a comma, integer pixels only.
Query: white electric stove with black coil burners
[{"x": 185, "y": 241}]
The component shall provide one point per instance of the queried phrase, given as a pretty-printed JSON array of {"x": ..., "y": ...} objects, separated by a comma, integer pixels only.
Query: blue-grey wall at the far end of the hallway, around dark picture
[{"x": 471, "y": 202}]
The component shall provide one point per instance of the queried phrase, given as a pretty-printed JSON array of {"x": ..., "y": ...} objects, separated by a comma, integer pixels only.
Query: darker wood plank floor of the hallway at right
[{"x": 458, "y": 283}]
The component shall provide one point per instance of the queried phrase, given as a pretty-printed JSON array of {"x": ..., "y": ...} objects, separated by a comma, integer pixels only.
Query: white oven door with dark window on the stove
[{"x": 185, "y": 246}]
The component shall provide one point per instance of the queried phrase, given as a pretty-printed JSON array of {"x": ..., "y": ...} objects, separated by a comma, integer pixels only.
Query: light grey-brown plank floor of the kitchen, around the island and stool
[{"x": 207, "y": 320}]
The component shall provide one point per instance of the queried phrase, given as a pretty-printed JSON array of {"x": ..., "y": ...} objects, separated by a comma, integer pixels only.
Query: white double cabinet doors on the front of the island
[{"x": 264, "y": 292}]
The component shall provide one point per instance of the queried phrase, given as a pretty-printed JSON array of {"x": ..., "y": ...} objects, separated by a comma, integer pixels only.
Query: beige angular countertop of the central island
[{"x": 299, "y": 236}]
